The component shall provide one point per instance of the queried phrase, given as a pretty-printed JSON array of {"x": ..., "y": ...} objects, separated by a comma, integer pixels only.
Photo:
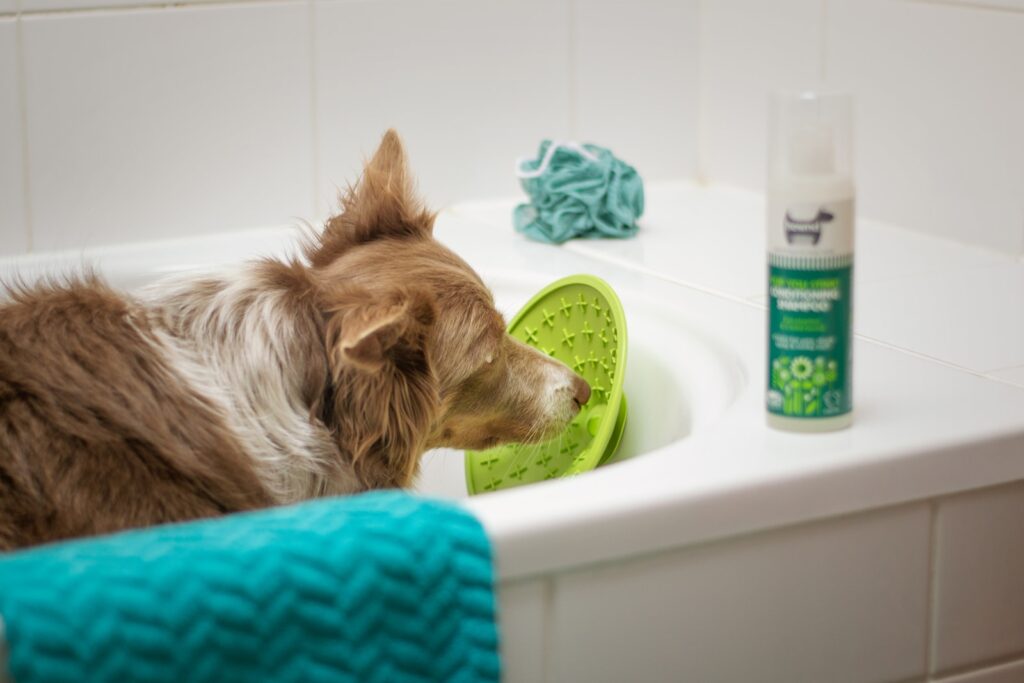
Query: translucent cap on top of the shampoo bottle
[{"x": 810, "y": 135}]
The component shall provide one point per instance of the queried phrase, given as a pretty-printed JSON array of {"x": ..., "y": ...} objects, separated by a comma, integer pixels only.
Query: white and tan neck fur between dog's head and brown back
[{"x": 249, "y": 343}]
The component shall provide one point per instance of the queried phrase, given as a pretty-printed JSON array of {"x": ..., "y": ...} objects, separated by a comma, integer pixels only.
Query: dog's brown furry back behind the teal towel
[{"x": 97, "y": 432}]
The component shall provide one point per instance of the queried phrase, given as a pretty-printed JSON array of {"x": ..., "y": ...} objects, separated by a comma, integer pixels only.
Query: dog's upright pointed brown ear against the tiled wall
[{"x": 382, "y": 204}]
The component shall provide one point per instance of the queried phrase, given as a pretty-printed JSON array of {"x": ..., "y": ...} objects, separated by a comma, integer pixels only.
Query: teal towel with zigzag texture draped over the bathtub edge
[{"x": 380, "y": 587}]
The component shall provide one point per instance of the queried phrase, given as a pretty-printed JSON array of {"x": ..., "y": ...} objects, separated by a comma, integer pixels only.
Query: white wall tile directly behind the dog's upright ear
[{"x": 472, "y": 87}]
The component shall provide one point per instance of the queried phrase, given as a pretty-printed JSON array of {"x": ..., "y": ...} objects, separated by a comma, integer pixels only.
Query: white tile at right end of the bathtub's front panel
[{"x": 979, "y": 609}]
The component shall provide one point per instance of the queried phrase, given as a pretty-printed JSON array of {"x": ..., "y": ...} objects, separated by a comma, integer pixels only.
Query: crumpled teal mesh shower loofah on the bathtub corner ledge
[{"x": 578, "y": 191}]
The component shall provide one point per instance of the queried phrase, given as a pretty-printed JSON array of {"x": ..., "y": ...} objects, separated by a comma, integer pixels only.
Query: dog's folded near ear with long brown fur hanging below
[{"x": 386, "y": 396}]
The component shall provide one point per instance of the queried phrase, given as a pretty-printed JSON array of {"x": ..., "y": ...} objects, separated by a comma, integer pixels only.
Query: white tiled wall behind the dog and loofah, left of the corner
[{"x": 125, "y": 120}]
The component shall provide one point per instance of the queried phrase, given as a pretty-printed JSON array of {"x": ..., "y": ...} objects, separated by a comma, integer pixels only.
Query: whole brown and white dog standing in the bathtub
[{"x": 269, "y": 385}]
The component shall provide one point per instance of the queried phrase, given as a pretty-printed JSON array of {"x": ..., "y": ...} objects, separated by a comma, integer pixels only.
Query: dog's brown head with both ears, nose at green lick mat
[{"x": 418, "y": 355}]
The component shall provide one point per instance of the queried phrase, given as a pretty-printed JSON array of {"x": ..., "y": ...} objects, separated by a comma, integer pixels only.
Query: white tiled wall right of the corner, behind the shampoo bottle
[{"x": 941, "y": 98}]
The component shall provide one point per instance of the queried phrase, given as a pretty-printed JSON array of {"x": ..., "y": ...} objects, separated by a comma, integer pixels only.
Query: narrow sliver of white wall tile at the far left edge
[{"x": 14, "y": 232}]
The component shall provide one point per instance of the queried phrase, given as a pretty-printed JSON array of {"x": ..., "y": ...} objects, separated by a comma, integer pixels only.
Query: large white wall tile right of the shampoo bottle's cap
[{"x": 940, "y": 147}]
